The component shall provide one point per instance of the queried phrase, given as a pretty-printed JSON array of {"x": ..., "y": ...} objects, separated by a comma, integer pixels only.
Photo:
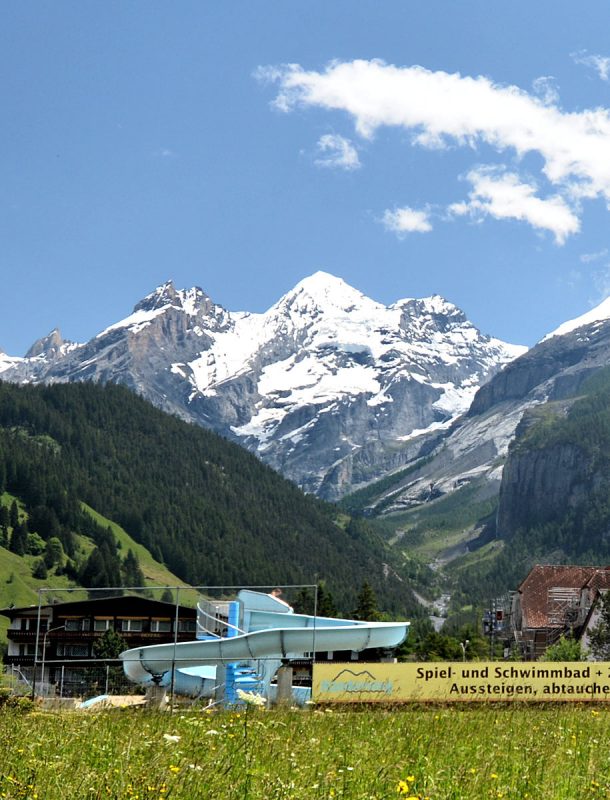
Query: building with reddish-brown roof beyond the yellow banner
[{"x": 554, "y": 600}]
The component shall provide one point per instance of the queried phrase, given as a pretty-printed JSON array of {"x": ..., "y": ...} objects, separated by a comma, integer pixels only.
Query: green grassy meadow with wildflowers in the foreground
[{"x": 460, "y": 753}]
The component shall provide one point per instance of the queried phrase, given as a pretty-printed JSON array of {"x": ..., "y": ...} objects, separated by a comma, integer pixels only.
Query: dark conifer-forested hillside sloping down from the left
[{"x": 206, "y": 508}]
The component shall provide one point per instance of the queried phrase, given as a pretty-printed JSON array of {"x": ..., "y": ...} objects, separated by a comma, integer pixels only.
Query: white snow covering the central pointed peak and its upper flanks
[{"x": 324, "y": 342}]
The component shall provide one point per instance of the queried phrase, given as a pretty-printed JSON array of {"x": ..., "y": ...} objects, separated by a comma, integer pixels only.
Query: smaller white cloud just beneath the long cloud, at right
[{"x": 503, "y": 196}]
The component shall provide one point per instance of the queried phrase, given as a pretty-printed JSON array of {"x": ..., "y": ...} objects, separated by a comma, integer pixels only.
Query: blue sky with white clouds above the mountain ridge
[{"x": 412, "y": 148}]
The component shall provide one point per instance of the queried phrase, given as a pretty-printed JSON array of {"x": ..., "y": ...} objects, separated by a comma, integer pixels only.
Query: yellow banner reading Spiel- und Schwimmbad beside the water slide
[{"x": 461, "y": 681}]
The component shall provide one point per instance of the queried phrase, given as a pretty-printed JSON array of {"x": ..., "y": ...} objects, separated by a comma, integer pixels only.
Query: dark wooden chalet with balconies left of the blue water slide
[{"x": 66, "y": 633}]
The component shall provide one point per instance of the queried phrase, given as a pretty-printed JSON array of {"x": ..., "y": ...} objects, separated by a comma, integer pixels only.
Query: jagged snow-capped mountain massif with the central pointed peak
[{"x": 325, "y": 374}]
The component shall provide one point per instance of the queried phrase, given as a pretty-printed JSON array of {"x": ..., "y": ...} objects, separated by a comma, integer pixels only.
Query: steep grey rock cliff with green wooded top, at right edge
[{"x": 557, "y": 475}]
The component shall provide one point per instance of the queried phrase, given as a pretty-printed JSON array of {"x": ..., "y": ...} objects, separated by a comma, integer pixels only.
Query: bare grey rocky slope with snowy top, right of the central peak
[{"x": 474, "y": 449}]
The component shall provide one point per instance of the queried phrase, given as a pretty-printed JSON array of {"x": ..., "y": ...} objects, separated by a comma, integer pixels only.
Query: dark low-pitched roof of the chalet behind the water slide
[{"x": 118, "y": 604}]
